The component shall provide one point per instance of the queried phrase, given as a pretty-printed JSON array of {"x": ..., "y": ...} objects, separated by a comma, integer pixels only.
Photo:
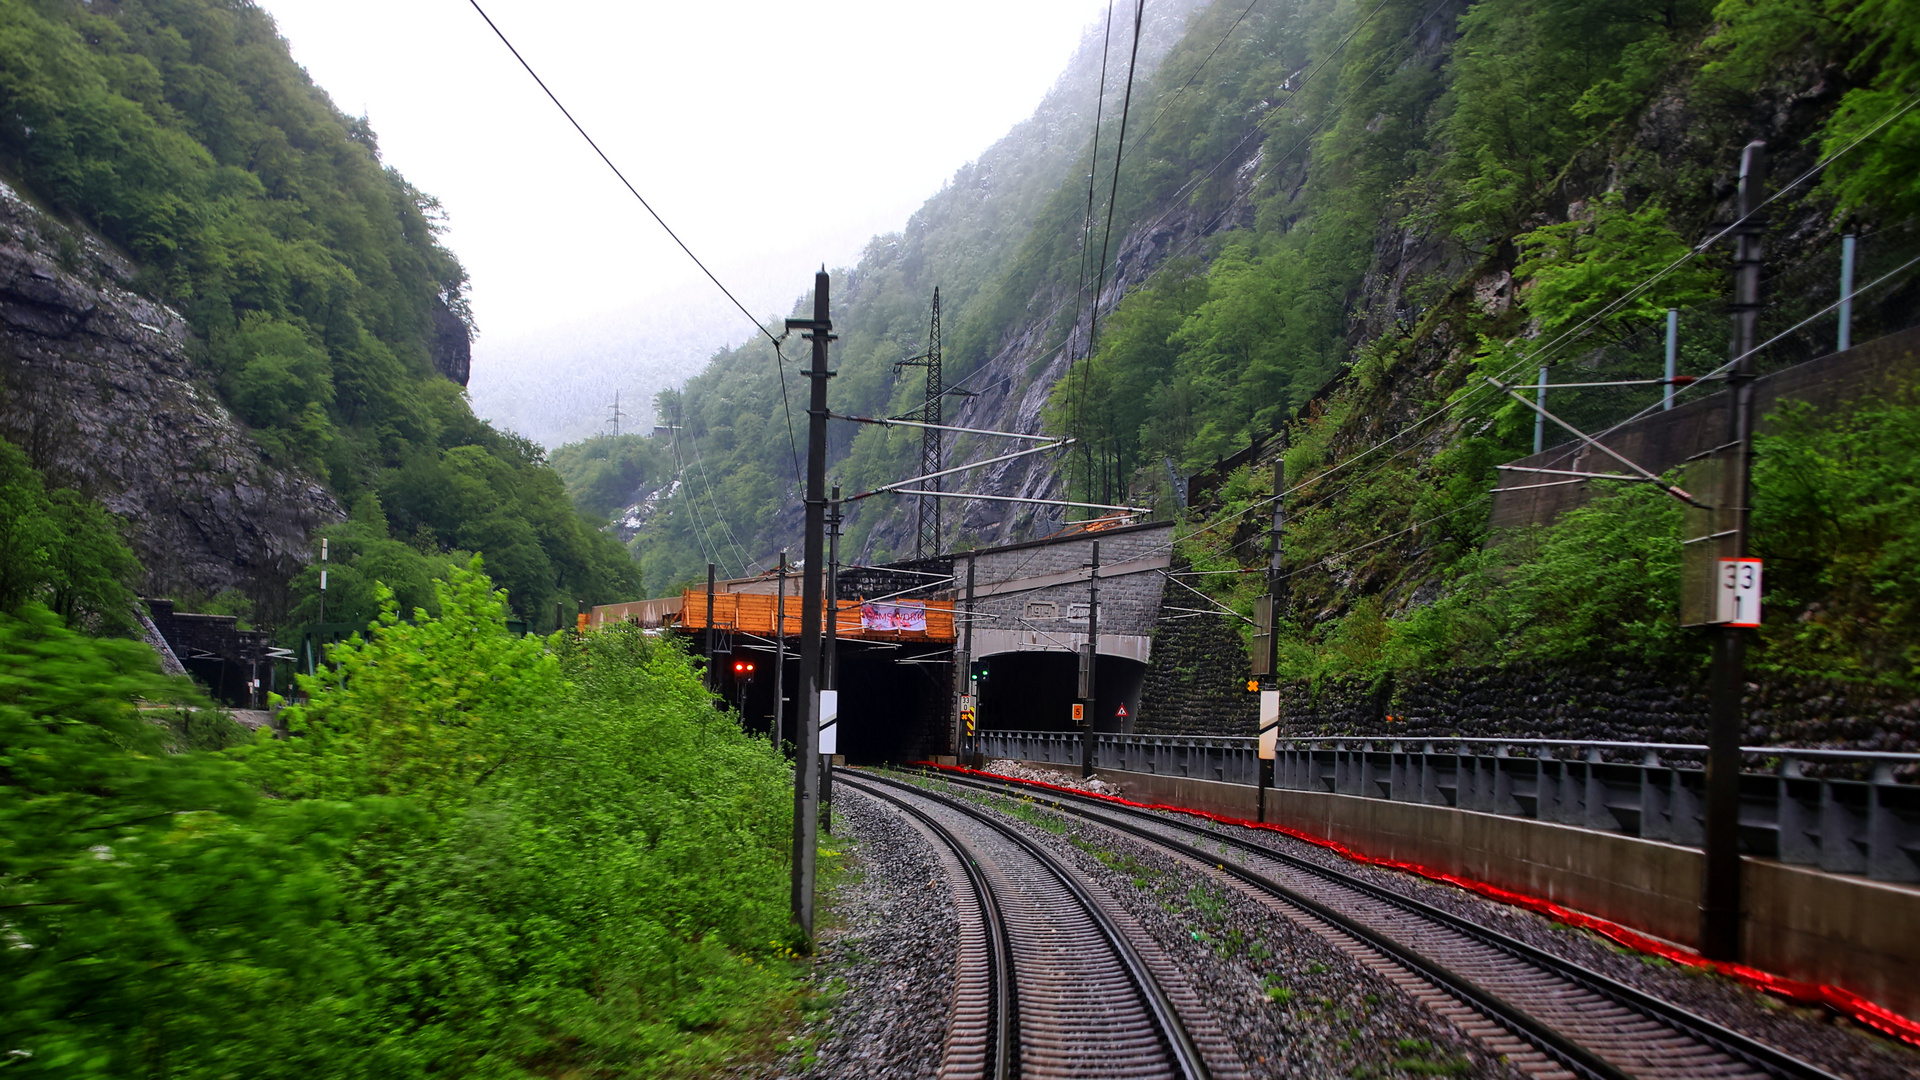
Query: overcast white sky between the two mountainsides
[{"x": 773, "y": 137}]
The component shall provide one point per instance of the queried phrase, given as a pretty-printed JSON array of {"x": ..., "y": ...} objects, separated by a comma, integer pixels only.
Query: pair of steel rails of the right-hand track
[{"x": 1752, "y": 1052}]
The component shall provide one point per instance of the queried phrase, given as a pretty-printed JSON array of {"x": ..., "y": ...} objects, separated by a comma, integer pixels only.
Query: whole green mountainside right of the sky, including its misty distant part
[{"x": 1333, "y": 218}]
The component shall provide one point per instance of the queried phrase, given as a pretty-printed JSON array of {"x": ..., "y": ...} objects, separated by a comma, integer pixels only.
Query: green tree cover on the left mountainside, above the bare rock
[{"x": 185, "y": 134}]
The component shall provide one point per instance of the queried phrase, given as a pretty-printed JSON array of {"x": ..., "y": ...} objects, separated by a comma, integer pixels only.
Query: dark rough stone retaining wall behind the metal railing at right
[{"x": 1197, "y": 685}]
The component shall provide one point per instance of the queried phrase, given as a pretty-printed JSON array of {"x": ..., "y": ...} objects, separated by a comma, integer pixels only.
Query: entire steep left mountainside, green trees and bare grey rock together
[{"x": 231, "y": 320}]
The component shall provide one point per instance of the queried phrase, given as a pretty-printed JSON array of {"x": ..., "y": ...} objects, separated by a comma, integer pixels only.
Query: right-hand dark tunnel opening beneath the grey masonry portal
[{"x": 1034, "y": 691}]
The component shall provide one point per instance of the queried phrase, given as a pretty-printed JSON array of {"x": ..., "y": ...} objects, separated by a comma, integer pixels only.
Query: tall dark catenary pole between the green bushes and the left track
[{"x": 807, "y": 747}]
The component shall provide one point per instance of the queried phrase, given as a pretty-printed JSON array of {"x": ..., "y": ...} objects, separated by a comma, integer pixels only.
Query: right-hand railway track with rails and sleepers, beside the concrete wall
[{"x": 1547, "y": 1014}]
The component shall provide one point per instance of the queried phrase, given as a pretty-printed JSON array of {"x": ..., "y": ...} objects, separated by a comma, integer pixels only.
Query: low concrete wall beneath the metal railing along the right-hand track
[{"x": 1802, "y": 923}]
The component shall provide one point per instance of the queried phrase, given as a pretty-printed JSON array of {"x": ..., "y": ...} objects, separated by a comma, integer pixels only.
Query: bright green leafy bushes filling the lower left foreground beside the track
[{"x": 479, "y": 856}]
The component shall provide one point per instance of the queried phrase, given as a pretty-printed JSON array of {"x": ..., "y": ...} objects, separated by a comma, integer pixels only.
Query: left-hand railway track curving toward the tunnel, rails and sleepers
[{"x": 1053, "y": 979}]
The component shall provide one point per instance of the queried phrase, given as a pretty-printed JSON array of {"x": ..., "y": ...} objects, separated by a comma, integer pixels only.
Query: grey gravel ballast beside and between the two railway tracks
[{"x": 1289, "y": 1002}]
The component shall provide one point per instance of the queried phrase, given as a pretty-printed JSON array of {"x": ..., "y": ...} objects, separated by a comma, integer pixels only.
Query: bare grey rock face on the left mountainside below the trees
[{"x": 101, "y": 389}]
